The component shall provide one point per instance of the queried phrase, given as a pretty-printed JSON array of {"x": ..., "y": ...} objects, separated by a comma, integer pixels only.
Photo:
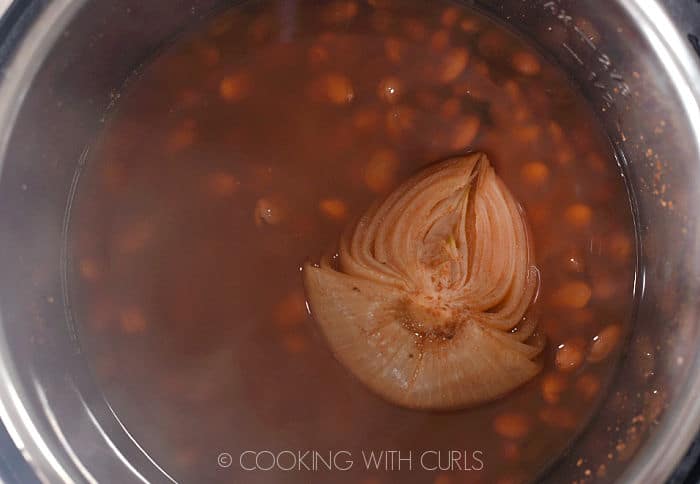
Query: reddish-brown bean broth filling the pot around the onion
[{"x": 244, "y": 149}]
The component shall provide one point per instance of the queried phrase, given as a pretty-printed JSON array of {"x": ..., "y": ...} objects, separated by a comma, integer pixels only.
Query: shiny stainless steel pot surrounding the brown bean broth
[{"x": 65, "y": 59}]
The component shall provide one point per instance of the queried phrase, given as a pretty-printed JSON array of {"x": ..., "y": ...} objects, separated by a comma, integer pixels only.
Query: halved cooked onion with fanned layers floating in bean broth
[{"x": 427, "y": 301}]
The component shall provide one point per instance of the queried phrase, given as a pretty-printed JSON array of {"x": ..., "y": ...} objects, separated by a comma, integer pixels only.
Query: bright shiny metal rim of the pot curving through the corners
[{"x": 656, "y": 460}]
